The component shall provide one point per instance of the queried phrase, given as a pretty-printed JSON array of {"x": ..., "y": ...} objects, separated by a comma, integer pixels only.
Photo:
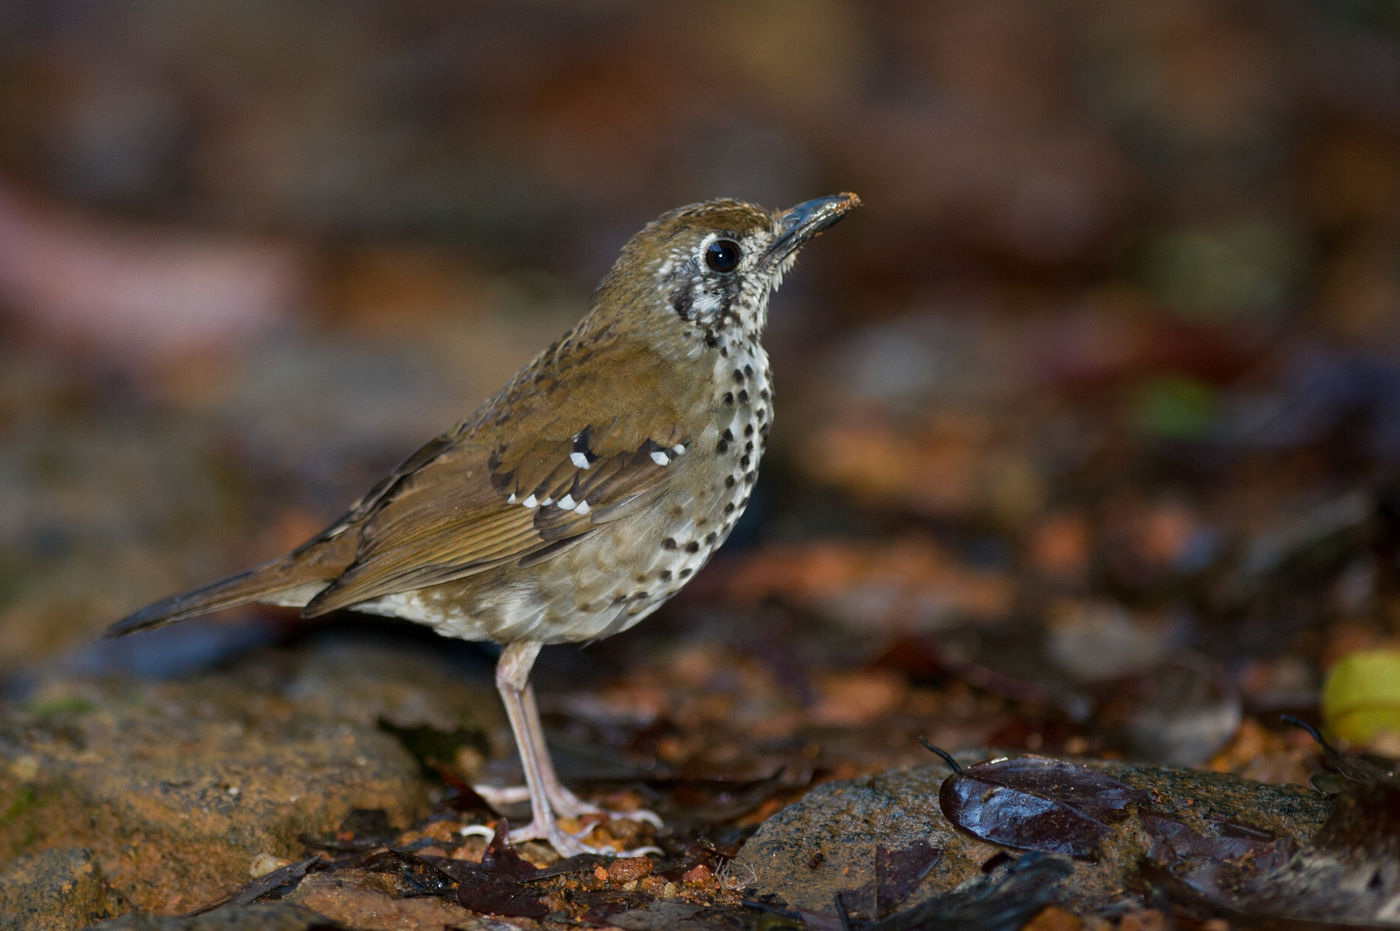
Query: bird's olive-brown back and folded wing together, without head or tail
[{"x": 458, "y": 506}]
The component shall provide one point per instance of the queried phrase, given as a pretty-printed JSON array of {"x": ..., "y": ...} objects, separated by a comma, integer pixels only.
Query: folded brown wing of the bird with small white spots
[{"x": 464, "y": 507}]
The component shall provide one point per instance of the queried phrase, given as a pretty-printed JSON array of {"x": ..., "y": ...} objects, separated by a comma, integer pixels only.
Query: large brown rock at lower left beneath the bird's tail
[{"x": 163, "y": 796}]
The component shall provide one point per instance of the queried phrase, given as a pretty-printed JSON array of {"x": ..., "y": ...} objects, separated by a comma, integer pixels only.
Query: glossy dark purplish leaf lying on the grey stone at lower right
[{"x": 1035, "y": 803}]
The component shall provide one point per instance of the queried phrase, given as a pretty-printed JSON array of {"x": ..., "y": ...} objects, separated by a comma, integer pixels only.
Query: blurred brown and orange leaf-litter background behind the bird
[{"x": 1112, "y": 352}]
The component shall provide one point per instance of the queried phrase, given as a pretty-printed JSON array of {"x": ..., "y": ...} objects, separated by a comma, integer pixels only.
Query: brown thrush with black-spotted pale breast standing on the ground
[{"x": 587, "y": 492}]
